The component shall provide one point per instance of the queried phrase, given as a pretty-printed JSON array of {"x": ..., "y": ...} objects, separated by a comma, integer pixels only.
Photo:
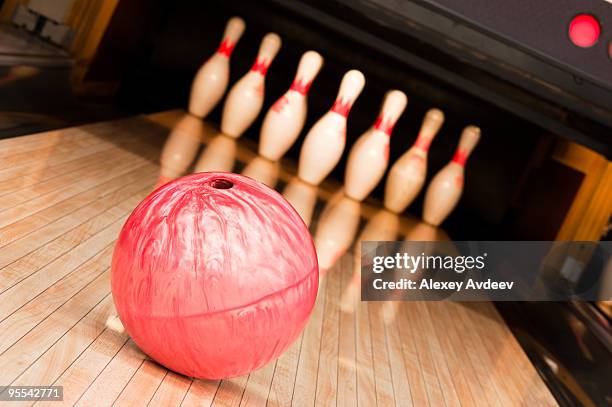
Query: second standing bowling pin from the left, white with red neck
[{"x": 245, "y": 99}]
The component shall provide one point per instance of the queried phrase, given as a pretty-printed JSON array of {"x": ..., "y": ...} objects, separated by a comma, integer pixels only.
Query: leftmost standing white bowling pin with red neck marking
[{"x": 211, "y": 80}]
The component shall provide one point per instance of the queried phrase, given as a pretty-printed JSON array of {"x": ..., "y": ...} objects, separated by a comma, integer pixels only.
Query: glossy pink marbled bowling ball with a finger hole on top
[{"x": 214, "y": 275}]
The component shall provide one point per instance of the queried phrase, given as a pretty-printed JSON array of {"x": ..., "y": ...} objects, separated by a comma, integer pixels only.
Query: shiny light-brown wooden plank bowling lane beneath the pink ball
[{"x": 63, "y": 204}]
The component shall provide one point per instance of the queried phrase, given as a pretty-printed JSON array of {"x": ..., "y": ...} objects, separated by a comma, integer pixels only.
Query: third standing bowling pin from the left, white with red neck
[{"x": 285, "y": 119}]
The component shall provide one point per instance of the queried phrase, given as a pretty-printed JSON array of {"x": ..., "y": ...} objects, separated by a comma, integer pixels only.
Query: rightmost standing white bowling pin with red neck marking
[{"x": 445, "y": 189}]
